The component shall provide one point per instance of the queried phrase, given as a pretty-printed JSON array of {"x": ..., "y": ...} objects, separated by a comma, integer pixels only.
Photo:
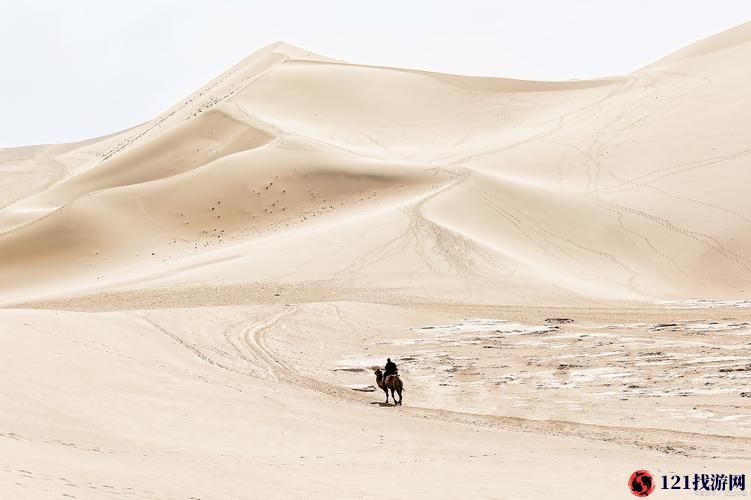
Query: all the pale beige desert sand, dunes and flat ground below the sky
[{"x": 193, "y": 307}]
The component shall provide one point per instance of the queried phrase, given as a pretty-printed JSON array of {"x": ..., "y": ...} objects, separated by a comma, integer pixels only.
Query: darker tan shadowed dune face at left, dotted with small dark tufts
[{"x": 139, "y": 228}]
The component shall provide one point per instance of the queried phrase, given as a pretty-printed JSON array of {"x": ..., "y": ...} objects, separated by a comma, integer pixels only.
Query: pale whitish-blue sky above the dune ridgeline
[{"x": 77, "y": 69}]
